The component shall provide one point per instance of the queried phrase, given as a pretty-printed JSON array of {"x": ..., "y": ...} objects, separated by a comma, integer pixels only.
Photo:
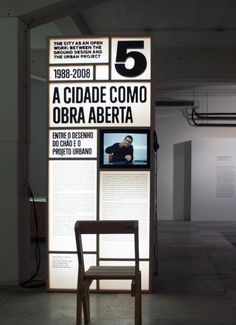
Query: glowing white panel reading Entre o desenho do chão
[{"x": 73, "y": 143}]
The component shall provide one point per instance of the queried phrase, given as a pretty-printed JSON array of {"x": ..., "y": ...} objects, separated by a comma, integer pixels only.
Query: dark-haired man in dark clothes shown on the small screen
[{"x": 121, "y": 152}]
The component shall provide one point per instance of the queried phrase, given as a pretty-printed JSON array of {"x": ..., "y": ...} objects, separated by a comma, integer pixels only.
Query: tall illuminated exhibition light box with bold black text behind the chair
[{"x": 99, "y": 92}]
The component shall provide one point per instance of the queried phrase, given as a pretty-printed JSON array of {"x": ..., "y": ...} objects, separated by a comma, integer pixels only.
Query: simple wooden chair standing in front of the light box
[{"x": 85, "y": 278}]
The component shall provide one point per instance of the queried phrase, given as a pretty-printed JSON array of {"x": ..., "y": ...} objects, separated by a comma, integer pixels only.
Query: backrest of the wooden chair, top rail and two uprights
[{"x": 106, "y": 227}]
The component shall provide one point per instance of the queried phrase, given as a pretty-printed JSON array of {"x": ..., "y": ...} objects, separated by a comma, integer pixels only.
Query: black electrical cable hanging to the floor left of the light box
[{"x": 32, "y": 282}]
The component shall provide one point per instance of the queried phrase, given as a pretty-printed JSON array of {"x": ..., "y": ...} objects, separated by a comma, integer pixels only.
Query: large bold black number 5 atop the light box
[{"x": 140, "y": 62}]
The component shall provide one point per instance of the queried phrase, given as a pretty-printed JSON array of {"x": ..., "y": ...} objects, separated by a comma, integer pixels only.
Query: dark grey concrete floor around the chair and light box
[{"x": 196, "y": 285}]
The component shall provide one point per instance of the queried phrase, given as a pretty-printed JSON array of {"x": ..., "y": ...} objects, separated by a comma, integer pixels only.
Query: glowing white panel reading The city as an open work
[{"x": 78, "y": 50}]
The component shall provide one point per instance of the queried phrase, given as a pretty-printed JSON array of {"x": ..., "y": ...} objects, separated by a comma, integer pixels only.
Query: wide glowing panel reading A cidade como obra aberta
[{"x": 99, "y": 104}]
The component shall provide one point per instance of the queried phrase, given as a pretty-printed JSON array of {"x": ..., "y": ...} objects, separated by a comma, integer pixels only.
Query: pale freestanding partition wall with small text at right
[{"x": 213, "y": 179}]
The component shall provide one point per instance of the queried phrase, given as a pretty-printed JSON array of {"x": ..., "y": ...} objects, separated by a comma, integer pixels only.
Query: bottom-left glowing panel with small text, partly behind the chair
[{"x": 63, "y": 270}]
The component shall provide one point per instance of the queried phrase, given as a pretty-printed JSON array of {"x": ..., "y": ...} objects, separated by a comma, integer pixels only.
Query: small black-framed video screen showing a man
[{"x": 124, "y": 148}]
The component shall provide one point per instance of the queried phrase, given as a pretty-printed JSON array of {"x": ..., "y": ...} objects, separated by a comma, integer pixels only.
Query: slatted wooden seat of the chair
[{"x": 110, "y": 272}]
